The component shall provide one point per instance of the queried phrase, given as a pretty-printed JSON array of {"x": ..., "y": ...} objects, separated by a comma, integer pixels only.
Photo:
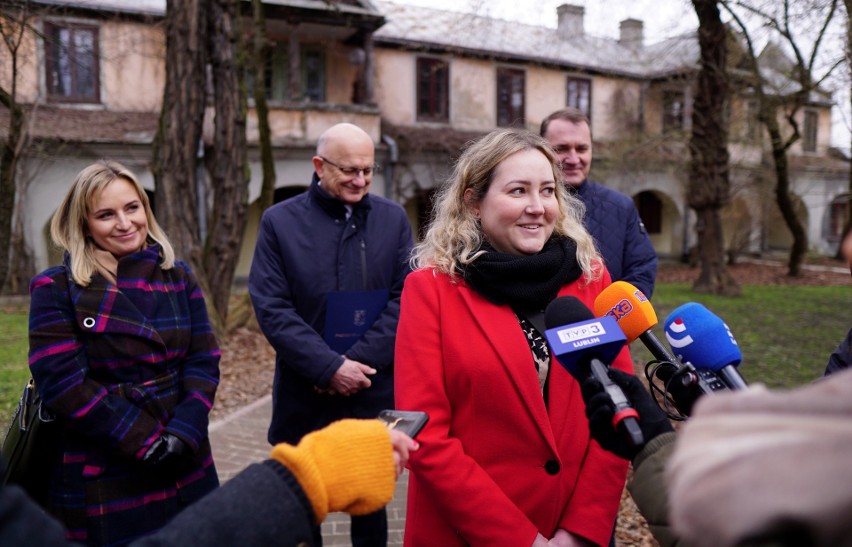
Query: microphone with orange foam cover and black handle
[{"x": 636, "y": 316}]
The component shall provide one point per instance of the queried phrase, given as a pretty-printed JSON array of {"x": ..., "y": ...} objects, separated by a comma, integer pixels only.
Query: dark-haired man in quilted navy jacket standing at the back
[{"x": 611, "y": 216}]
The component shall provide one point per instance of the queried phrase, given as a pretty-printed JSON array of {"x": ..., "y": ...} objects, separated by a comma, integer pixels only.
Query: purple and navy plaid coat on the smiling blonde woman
[{"x": 120, "y": 365}]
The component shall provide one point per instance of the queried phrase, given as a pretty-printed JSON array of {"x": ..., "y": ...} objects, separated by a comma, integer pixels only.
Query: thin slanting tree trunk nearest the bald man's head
[{"x": 267, "y": 187}]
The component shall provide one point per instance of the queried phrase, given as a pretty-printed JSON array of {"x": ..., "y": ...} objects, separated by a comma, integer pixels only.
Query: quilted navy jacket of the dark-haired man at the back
[{"x": 613, "y": 221}]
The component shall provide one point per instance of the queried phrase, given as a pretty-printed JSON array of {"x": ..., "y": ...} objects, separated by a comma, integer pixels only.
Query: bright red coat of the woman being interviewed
[{"x": 496, "y": 466}]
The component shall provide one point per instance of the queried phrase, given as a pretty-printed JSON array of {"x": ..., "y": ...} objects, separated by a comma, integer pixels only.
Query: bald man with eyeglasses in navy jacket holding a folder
[{"x": 325, "y": 282}]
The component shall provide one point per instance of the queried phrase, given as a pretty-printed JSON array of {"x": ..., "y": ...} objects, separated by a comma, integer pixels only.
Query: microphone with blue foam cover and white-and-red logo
[{"x": 700, "y": 337}]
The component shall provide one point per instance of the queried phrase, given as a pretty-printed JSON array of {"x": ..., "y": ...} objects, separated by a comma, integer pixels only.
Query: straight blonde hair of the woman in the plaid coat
[{"x": 69, "y": 227}]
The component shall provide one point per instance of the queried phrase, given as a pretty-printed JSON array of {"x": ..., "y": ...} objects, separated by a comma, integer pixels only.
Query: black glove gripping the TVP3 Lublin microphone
[{"x": 599, "y": 409}]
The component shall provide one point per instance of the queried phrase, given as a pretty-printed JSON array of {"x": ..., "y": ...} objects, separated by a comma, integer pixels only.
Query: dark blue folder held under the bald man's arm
[{"x": 349, "y": 314}]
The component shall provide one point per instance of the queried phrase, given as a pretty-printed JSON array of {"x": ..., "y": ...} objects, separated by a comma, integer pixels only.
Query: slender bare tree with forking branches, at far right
[{"x": 774, "y": 103}]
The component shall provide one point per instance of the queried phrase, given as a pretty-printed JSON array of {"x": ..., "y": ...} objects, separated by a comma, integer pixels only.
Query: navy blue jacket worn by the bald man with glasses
[{"x": 305, "y": 249}]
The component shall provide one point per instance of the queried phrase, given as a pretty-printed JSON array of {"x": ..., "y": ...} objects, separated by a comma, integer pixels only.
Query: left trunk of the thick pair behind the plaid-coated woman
[{"x": 175, "y": 148}]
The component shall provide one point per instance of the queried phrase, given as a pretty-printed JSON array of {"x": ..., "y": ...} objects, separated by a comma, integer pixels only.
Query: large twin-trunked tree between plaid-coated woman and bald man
[{"x": 203, "y": 37}]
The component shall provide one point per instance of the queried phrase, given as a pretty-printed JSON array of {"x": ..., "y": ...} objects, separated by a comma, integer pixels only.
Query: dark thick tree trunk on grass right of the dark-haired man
[{"x": 709, "y": 187}]
